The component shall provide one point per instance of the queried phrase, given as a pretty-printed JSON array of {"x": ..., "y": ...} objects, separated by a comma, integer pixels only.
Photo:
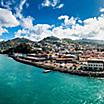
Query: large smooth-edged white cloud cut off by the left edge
[{"x": 7, "y": 19}]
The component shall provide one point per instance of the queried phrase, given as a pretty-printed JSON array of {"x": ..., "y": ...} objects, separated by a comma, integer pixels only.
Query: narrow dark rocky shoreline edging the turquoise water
[{"x": 73, "y": 72}]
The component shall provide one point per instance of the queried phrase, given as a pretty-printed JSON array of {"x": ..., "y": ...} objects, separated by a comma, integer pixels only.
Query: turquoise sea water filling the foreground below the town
[{"x": 24, "y": 84}]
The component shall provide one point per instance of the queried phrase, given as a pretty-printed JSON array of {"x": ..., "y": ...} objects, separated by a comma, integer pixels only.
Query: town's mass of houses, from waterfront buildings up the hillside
[{"x": 84, "y": 57}]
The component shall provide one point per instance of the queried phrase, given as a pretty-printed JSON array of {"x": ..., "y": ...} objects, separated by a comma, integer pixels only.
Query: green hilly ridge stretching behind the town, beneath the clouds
[{"x": 26, "y": 45}]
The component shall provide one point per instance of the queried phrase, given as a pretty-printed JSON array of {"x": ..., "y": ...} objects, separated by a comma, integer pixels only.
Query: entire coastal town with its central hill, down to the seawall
[{"x": 54, "y": 54}]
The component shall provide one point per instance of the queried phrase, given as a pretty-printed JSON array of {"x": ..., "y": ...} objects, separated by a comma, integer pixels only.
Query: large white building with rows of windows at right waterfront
[{"x": 94, "y": 65}]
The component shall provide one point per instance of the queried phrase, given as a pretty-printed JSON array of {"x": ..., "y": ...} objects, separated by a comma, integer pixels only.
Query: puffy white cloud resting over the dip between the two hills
[{"x": 36, "y": 33}]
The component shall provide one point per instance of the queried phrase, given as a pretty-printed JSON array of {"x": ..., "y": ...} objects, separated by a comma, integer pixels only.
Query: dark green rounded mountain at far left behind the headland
[{"x": 14, "y": 42}]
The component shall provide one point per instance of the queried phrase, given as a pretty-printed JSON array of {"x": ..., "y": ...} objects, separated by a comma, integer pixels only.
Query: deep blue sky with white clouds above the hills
[{"x": 37, "y": 19}]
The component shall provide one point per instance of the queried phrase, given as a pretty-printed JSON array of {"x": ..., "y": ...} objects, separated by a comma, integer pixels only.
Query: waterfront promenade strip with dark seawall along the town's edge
[{"x": 57, "y": 67}]
